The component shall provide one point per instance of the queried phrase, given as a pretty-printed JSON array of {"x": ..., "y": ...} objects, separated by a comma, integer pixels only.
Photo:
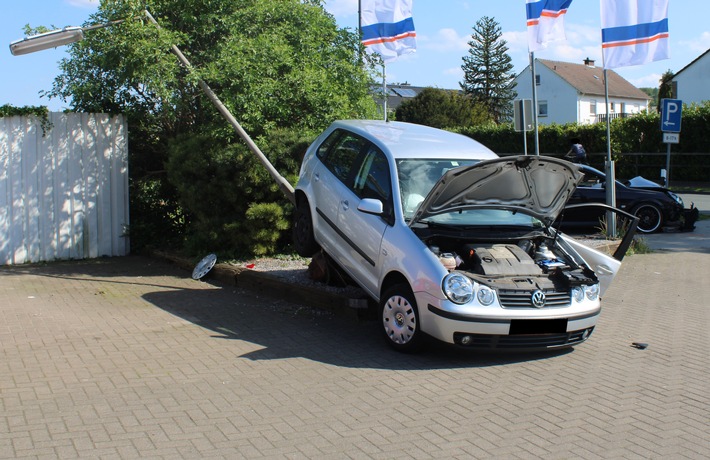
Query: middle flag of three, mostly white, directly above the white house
[{"x": 545, "y": 22}]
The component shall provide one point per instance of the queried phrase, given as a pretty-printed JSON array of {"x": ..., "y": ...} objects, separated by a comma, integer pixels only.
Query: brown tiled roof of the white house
[{"x": 588, "y": 79}]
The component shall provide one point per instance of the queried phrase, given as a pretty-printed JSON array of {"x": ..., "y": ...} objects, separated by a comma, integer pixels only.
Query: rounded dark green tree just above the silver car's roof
[{"x": 442, "y": 109}]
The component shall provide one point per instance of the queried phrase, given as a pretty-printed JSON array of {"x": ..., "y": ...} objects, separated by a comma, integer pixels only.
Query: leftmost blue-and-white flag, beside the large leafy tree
[{"x": 388, "y": 27}]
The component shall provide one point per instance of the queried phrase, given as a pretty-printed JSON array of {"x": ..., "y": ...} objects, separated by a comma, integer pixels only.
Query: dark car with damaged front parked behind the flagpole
[{"x": 656, "y": 207}]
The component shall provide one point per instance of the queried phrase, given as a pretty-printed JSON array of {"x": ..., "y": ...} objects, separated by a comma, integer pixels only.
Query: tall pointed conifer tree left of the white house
[{"x": 488, "y": 75}]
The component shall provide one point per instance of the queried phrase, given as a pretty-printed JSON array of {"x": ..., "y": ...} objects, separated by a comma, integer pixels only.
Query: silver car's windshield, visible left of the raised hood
[{"x": 418, "y": 176}]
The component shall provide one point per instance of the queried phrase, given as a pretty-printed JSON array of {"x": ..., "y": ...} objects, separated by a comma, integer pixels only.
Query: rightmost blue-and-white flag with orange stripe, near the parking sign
[{"x": 634, "y": 32}]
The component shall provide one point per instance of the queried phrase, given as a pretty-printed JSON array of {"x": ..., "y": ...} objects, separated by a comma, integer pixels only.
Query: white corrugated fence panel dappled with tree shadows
[{"x": 63, "y": 193}]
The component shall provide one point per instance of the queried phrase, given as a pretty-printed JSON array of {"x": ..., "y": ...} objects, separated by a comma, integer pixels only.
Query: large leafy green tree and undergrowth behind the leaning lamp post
[{"x": 280, "y": 64}]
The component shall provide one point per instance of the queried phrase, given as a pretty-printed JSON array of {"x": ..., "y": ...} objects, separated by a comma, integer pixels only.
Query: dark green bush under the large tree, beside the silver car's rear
[{"x": 235, "y": 208}]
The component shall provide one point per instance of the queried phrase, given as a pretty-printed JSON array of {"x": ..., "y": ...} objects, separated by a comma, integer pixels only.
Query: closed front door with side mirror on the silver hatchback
[{"x": 362, "y": 232}]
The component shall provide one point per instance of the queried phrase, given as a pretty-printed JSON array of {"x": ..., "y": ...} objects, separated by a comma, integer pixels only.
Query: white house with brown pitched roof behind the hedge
[{"x": 568, "y": 93}]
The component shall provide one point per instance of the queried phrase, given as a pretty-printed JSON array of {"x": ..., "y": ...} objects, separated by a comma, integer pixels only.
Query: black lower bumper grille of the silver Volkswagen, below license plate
[{"x": 524, "y": 342}]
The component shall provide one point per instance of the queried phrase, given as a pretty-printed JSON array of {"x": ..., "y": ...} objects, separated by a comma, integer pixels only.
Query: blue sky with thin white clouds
[{"x": 443, "y": 30}]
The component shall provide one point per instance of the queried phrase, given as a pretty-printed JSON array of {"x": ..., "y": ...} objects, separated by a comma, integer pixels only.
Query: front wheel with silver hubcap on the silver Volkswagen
[{"x": 400, "y": 319}]
